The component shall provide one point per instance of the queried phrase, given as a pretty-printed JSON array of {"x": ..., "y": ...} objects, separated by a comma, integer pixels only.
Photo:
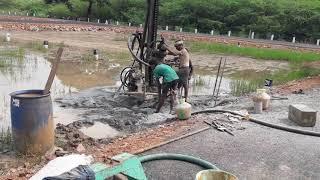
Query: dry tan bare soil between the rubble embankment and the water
[{"x": 81, "y": 42}]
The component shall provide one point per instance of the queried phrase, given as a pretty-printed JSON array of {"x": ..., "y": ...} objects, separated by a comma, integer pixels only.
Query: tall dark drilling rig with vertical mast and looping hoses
[{"x": 137, "y": 78}]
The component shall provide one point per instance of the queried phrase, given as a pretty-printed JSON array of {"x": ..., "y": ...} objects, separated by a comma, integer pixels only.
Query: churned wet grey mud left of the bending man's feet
[{"x": 124, "y": 113}]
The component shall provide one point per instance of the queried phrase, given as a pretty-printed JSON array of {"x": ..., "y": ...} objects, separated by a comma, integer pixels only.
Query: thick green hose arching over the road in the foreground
[{"x": 178, "y": 157}]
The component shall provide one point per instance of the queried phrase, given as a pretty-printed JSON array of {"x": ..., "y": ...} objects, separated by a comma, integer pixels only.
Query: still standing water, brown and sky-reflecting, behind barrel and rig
[{"x": 31, "y": 71}]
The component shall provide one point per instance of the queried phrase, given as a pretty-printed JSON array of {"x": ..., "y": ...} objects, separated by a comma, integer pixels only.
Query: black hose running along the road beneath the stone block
[{"x": 275, "y": 126}]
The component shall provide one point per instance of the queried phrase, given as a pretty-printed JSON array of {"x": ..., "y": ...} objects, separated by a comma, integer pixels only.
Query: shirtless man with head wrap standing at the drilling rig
[{"x": 185, "y": 65}]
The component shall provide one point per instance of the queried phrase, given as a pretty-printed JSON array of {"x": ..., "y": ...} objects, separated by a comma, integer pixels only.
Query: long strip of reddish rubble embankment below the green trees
[{"x": 29, "y": 24}]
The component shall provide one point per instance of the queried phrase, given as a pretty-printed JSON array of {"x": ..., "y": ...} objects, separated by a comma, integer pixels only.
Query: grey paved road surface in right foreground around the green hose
[{"x": 254, "y": 153}]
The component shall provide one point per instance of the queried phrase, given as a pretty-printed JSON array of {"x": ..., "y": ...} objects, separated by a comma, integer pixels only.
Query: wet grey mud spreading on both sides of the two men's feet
[{"x": 126, "y": 114}]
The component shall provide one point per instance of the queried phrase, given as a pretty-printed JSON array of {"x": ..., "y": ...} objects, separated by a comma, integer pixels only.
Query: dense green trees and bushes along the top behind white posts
[{"x": 283, "y": 18}]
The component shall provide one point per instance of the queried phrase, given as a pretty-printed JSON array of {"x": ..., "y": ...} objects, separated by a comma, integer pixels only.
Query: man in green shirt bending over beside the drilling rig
[{"x": 169, "y": 82}]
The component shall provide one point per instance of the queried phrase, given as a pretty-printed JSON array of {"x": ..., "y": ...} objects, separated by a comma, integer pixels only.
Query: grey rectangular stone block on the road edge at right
[{"x": 302, "y": 115}]
